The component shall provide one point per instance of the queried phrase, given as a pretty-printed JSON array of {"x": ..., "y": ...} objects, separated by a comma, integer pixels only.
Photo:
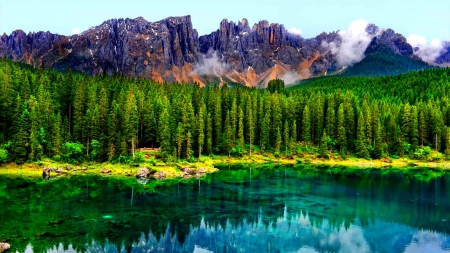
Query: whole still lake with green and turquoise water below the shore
[{"x": 235, "y": 210}]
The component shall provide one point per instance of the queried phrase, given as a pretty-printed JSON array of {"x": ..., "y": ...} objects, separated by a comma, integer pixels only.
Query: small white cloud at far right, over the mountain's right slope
[{"x": 426, "y": 52}]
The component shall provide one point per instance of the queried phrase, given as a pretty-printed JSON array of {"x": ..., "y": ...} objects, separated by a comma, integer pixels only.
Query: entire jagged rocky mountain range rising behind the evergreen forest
[{"x": 170, "y": 50}]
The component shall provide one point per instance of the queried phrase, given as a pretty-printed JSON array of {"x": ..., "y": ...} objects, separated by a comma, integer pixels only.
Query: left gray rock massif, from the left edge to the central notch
[{"x": 133, "y": 47}]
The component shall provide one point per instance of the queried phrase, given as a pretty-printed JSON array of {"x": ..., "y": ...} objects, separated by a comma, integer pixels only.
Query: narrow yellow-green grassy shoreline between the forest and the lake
[{"x": 175, "y": 169}]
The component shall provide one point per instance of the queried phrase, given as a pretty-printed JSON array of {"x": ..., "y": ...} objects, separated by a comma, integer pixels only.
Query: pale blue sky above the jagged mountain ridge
[{"x": 426, "y": 19}]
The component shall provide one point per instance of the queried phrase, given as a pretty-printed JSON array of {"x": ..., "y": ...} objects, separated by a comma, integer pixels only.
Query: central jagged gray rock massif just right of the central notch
[{"x": 266, "y": 45}]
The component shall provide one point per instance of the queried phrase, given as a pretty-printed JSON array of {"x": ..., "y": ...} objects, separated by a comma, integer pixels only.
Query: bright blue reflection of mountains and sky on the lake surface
[{"x": 289, "y": 233}]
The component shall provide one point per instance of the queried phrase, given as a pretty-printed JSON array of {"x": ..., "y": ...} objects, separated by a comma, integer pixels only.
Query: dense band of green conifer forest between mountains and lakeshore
[{"x": 72, "y": 116}]
